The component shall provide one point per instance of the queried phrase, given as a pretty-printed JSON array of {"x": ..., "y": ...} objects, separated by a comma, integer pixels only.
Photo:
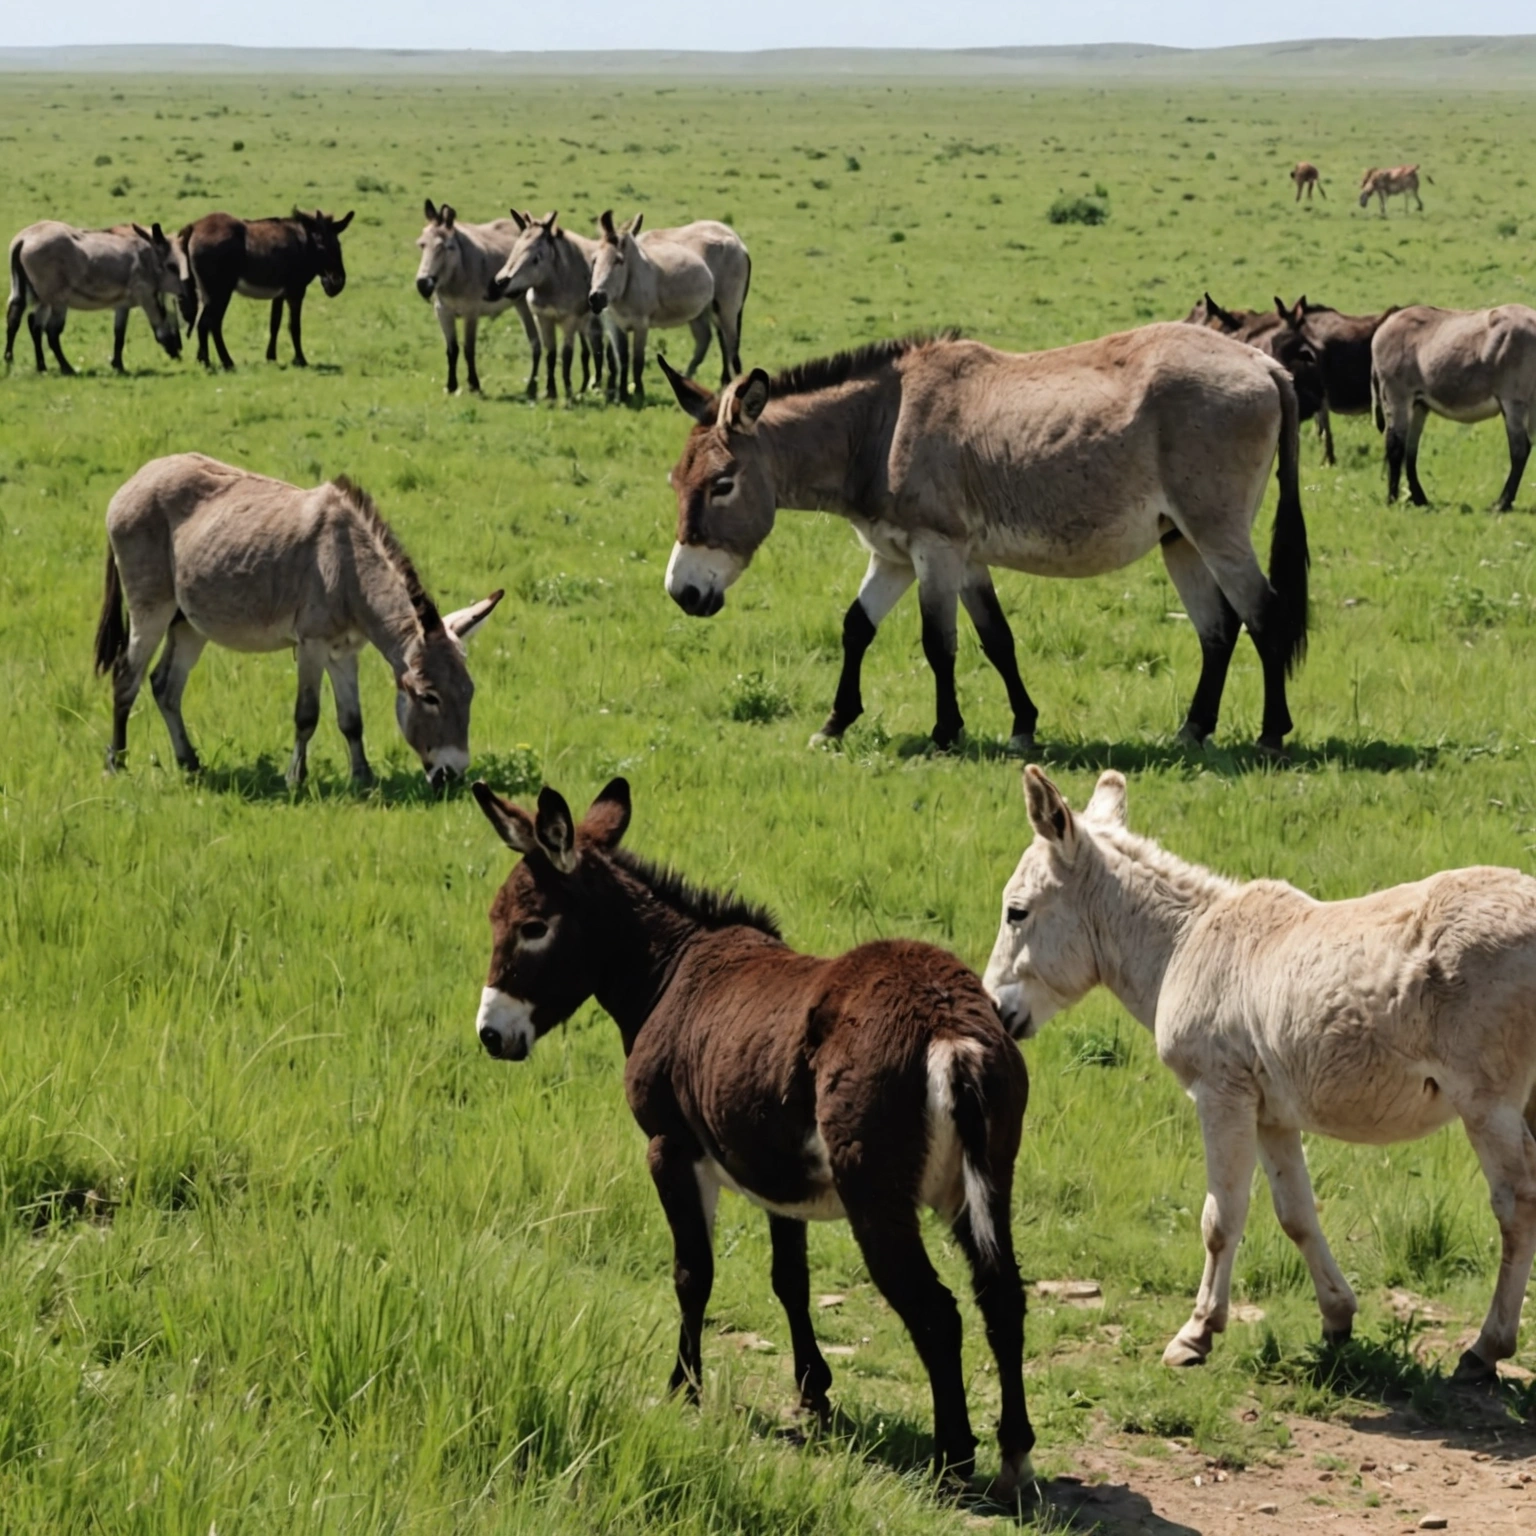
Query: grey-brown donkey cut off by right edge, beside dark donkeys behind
[{"x": 1462, "y": 365}]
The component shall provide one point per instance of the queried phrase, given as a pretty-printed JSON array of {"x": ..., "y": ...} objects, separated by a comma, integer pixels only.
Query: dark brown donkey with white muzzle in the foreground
[{"x": 861, "y": 1088}]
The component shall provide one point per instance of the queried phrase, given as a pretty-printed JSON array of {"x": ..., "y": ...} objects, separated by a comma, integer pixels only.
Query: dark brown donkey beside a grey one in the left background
[{"x": 274, "y": 259}]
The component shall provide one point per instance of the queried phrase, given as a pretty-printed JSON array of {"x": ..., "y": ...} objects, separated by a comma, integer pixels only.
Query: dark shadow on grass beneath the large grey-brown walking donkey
[{"x": 1228, "y": 763}]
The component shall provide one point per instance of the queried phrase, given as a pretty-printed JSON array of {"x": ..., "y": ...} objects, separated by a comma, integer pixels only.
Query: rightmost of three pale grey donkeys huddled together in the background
[{"x": 658, "y": 280}]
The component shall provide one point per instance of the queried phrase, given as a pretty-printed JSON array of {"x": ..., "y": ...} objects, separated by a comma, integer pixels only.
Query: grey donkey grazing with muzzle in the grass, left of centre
[{"x": 207, "y": 552}]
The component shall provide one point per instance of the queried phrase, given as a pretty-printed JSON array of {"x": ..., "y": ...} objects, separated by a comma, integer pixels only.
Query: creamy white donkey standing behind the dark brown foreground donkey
[{"x": 1372, "y": 1021}]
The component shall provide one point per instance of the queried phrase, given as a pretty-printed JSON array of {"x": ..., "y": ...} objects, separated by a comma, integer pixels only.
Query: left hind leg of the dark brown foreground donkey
[{"x": 899, "y": 1265}]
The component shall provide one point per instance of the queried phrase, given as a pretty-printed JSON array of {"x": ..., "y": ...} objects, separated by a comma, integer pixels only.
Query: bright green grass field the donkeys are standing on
[{"x": 337, "y": 1271}]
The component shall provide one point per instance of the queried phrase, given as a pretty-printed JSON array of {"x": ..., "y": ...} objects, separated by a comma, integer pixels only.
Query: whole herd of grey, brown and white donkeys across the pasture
[{"x": 887, "y": 1081}]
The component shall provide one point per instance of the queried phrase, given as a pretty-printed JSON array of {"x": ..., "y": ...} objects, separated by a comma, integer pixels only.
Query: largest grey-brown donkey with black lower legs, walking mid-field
[{"x": 950, "y": 458}]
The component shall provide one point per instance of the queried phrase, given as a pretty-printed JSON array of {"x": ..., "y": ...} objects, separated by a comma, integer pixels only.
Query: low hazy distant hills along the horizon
[{"x": 1431, "y": 61}]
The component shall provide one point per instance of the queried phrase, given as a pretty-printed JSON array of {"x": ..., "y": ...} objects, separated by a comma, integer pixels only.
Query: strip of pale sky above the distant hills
[{"x": 778, "y": 24}]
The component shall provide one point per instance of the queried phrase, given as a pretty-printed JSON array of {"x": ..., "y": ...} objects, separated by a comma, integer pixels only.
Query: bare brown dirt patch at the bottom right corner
[{"x": 1374, "y": 1474}]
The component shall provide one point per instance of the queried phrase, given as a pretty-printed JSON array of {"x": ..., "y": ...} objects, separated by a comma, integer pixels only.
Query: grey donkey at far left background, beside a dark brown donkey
[{"x": 56, "y": 268}]
